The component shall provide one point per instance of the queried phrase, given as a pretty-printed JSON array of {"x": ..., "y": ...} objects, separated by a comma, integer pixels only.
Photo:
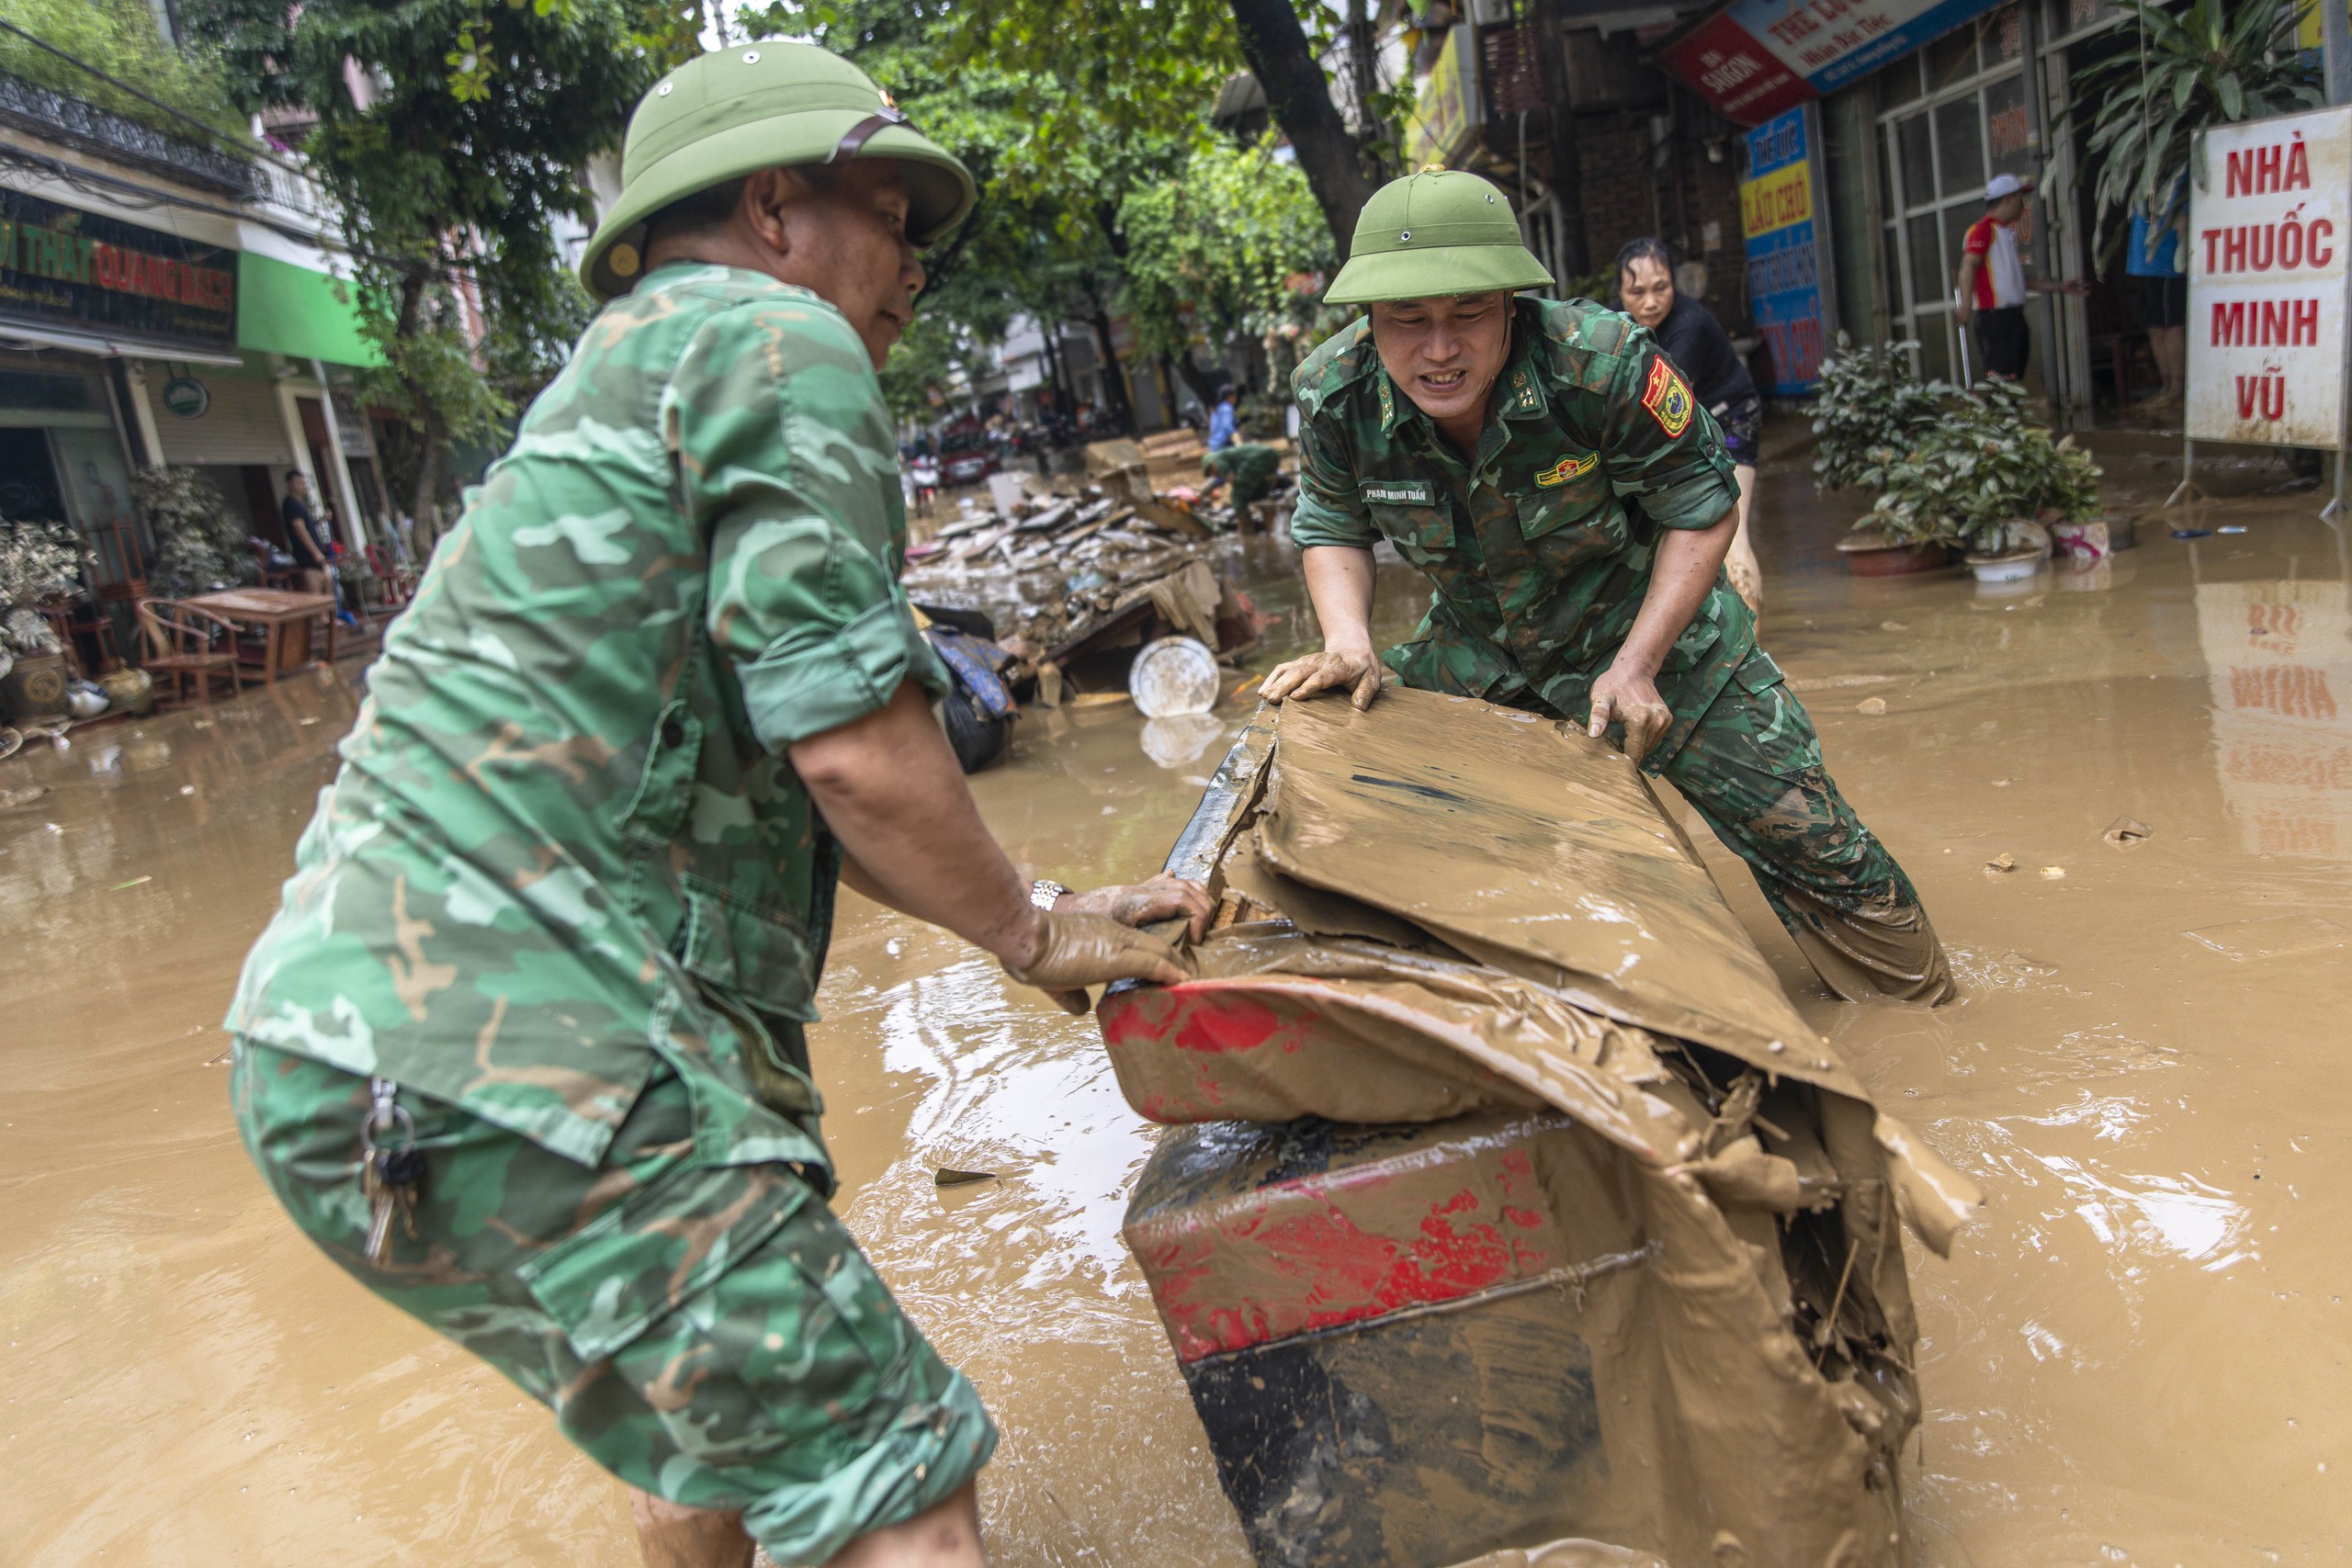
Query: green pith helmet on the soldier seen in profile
[{"x": 759, "y": 107}]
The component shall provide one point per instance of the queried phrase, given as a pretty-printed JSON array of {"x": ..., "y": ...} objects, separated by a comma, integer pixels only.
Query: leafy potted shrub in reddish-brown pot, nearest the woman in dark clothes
[{"x": 1869, "y": 417}]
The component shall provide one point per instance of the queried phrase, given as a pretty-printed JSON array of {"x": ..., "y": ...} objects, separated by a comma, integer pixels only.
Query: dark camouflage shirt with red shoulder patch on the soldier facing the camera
[{"x": 1542, "y": 547}]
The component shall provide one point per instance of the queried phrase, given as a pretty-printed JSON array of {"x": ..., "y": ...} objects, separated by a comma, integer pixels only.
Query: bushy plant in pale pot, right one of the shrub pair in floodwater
[{"x": 1991, "y": 481}]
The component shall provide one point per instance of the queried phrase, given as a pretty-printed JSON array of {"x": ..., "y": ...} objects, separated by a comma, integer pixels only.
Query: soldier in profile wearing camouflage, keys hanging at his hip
[{"x": 526, "y": 1043}]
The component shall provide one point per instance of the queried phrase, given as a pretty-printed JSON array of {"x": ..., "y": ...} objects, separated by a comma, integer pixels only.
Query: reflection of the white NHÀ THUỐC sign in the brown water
[{"x": 2280, "y": 662}]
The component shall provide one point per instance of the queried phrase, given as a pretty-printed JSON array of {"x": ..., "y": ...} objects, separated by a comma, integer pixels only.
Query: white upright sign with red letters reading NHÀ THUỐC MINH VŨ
[{"x": 2266, "y": 257}]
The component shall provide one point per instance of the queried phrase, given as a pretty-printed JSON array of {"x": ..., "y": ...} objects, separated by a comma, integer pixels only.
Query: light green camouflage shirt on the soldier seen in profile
[{"x": 563, "y": 843}]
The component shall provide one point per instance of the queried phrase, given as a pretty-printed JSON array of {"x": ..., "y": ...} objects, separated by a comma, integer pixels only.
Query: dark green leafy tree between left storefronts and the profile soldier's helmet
[{"x": 450, "y": 166}]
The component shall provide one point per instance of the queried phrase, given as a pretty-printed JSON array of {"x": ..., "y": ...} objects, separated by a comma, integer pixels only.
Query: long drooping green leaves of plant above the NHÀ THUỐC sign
[{"x": 2189, "y": 69}]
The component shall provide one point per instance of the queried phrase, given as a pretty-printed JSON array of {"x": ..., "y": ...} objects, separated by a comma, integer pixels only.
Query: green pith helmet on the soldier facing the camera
[{"x": 1436, "y": 234}]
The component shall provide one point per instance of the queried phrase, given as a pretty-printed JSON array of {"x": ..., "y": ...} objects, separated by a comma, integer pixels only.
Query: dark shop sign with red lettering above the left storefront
[{"x": 95, "y": 274}]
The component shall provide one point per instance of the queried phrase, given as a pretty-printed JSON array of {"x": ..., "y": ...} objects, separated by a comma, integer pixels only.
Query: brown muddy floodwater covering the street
[{"x": 2139, "y": 1355}]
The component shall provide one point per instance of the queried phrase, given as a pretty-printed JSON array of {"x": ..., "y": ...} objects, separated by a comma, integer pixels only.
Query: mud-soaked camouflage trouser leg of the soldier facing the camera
[{"x": 1753, "y": 772}]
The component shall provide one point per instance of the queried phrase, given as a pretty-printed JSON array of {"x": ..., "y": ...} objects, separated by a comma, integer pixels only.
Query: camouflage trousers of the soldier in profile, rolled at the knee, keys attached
[{"x": 707, "y": 1334}]
